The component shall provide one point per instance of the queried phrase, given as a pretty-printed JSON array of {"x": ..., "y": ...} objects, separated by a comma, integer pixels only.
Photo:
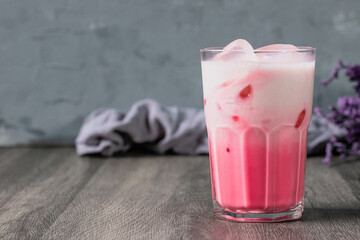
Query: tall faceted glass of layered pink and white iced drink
[{"x": 258, "y": 105}]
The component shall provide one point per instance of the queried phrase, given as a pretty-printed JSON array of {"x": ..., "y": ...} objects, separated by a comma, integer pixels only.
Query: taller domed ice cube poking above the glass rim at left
[{"x": 239, "y": 49}]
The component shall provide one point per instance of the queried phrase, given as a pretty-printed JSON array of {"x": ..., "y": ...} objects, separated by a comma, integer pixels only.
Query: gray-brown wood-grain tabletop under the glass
[{"x": 50, "y": 193}]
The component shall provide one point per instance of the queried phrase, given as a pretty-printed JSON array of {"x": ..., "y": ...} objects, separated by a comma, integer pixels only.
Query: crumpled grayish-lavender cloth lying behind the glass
[{"x": 163, "y": 128}]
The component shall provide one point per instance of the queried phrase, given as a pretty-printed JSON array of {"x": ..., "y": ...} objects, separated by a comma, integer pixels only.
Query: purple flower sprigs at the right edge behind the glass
[{"x": 346, "y": 115}]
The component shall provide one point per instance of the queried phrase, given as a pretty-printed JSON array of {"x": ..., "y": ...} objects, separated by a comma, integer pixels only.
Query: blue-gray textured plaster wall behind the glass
[{"x": 61, "y": 59}]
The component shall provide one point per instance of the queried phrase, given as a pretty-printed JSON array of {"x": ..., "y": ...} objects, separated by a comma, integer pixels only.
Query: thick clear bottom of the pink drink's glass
[{"x": 246, "y": 216}]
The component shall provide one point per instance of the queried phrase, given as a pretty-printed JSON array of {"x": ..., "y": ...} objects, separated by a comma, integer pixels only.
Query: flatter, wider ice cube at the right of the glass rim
[{"x": 279, "y": 53}]
